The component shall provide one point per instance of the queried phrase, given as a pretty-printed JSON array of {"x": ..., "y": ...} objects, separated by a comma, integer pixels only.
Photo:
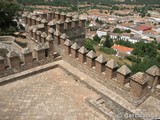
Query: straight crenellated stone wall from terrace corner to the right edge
[{"x": 110, "y": 74}]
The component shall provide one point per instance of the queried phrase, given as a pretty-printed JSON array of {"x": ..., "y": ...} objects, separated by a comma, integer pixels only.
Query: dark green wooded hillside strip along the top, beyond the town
[{"x": 103, "y": 2}]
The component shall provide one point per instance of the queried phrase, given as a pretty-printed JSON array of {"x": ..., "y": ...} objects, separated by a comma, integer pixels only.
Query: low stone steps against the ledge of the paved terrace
[{"x": 110, "y": 109}]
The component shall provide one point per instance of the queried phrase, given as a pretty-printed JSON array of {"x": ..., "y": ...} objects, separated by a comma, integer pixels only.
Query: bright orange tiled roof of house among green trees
[{"x": 122, "y": 48}]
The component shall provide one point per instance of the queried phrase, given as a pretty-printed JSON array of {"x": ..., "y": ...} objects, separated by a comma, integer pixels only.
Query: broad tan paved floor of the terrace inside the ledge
[{"x": 51, "y": 95}]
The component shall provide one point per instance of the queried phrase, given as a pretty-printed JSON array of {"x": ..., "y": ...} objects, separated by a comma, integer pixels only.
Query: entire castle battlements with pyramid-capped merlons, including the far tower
[{"x": 44, "y": 41}]
